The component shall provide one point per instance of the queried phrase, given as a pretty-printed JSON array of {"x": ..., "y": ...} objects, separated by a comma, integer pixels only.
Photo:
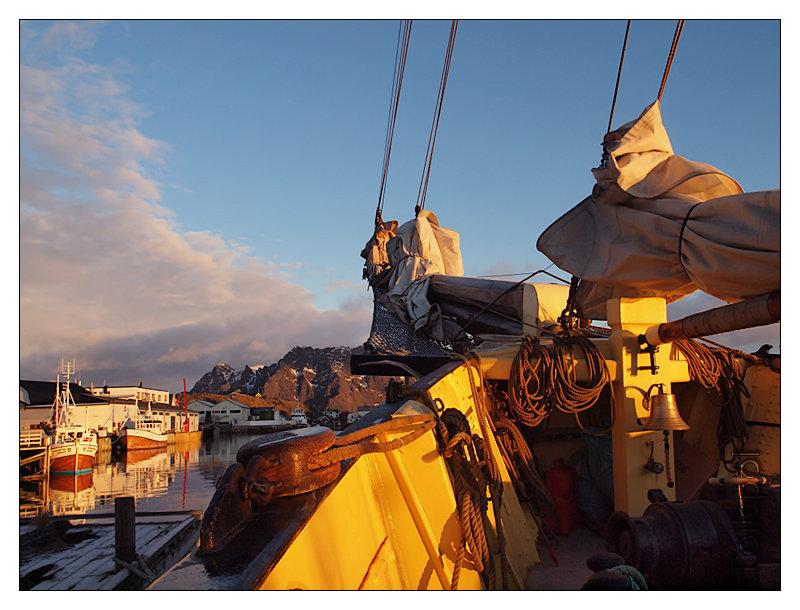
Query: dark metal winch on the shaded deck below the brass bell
[{"x": 705, "y": 544}]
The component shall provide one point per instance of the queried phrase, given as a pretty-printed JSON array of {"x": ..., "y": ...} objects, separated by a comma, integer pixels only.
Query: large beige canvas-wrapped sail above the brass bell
[{"x": 657, "y": 224}]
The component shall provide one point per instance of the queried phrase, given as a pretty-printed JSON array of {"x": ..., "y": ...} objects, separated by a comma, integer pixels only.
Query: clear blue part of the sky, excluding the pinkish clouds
[{"x": 270, "y": 133}]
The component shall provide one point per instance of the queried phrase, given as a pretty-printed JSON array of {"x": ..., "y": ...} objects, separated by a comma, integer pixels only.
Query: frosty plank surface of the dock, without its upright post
[{"x": 89, "y": 563}]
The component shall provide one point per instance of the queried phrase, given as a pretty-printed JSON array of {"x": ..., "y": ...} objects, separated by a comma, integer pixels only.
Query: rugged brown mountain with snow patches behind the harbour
[{"x": 318, "y": 378}]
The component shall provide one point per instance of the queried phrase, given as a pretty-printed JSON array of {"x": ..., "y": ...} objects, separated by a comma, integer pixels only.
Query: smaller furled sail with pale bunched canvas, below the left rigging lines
[{"x": 417, "y": 274}]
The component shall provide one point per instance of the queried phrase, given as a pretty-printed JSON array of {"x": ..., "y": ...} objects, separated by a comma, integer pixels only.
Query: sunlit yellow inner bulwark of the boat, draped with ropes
[{"x": 391, "y": 521}]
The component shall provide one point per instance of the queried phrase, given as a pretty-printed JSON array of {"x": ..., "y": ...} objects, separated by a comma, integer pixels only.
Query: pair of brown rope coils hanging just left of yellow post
[{"x": 542, "y": 380}]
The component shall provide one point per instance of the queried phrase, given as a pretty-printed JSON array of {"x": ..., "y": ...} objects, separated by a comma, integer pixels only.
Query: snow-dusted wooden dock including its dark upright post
[{"x": 125, "y": 550}]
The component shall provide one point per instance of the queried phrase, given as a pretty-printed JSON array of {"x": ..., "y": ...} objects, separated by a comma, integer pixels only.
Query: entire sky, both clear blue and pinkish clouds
[{"x": 197, "y": 191}]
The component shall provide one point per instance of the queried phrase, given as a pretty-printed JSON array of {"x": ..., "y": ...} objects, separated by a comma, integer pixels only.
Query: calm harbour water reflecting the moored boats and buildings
[{"x": 178, "y": 478}]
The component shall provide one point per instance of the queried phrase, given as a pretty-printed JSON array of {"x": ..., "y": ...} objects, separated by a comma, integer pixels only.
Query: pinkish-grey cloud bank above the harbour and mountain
[{"x": 107, "y": 276}]
